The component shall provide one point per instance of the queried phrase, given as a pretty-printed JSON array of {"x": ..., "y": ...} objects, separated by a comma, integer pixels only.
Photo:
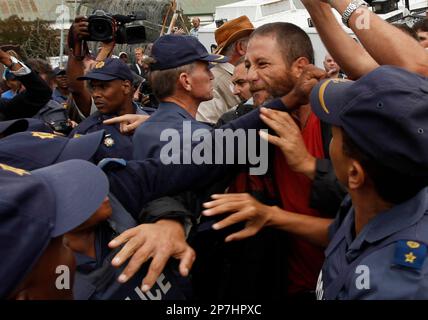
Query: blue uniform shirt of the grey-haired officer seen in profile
[{"x": 168, "y": 116}]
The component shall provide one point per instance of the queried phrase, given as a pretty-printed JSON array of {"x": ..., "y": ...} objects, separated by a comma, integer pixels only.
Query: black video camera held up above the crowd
[{"x": 106, "y": 27}]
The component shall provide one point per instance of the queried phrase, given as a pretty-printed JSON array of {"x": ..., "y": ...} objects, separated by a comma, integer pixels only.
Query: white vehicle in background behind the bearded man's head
[{"x": 265, "y": 11}]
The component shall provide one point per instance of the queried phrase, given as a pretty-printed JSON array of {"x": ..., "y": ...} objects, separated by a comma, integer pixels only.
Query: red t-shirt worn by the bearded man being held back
[{"x": 305, "y": 260}]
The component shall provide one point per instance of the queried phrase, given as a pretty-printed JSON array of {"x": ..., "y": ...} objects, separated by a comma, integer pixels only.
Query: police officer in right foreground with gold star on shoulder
[{"x": 378, "y": 242}]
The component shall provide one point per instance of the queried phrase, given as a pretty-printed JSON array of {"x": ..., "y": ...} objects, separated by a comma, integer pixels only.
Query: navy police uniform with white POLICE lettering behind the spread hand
[{"x": 96, "y": 278}]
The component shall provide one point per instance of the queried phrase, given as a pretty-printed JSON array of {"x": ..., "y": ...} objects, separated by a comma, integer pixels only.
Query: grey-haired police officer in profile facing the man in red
[{"x": 181, "y": 80}]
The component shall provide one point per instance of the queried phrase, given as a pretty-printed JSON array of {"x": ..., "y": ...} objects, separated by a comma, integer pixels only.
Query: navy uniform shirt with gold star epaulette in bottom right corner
[{"x": 386, "y": 260}]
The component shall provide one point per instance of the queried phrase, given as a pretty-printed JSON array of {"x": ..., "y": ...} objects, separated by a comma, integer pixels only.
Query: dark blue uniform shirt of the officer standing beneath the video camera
[{"x": 115, "y": 144}]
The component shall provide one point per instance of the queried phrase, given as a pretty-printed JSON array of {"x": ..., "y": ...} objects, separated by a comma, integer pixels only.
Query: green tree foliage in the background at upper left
[{"x": 35, "y": 38}]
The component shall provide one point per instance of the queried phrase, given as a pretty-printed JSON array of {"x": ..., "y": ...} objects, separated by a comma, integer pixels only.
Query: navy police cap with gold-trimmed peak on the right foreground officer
[{"x": 385, "y": 113}]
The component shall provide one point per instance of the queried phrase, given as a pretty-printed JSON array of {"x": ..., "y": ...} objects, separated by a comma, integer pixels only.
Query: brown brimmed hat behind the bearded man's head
[{"x": 231, "y": 31}]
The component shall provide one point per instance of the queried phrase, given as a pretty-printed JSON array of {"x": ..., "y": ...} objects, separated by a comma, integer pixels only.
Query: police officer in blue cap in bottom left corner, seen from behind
[{"x": 36, "y": 213}]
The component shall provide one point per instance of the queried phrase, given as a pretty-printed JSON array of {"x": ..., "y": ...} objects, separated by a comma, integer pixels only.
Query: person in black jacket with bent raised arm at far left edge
[{"x": 29, "y": 102}]
